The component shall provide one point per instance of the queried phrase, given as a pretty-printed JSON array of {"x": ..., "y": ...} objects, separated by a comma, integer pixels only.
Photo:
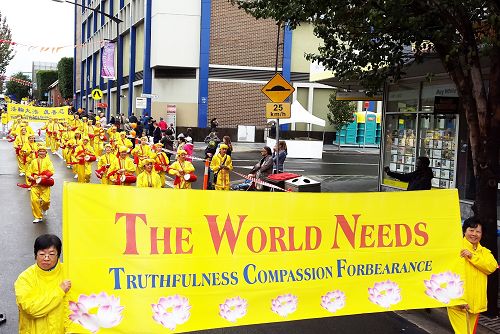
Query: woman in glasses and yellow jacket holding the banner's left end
[{"x": 42, "y": 290}]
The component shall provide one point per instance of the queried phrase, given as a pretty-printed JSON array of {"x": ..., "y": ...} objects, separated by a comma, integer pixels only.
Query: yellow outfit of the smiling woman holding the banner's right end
[{"x": 477, "y": 268}]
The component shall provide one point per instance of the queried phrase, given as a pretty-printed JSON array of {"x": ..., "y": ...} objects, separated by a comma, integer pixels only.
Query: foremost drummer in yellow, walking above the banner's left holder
[{"x": 39, "y": 168}]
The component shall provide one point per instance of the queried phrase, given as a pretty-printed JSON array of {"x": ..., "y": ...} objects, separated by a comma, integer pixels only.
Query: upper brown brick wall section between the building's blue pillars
[{"x": 237, "y": 38}]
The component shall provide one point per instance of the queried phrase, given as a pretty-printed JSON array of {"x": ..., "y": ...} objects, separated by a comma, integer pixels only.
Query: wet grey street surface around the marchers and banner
[{"x": 351, "y": 170}]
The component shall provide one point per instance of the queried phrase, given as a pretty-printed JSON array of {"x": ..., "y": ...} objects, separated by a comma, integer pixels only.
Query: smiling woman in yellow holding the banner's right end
[{"x": 479, "y": 263}]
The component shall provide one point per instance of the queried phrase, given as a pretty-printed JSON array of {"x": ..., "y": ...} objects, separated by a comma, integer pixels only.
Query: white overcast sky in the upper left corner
[{"x": 38, "y": 23}]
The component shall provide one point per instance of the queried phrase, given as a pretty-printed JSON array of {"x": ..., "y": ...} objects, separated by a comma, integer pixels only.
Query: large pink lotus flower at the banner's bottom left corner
[{"x": 96, "y": 311}]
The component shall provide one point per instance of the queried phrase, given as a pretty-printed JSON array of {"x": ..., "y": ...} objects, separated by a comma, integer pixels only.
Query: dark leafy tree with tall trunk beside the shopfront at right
[{"x": 371, "y": 41}]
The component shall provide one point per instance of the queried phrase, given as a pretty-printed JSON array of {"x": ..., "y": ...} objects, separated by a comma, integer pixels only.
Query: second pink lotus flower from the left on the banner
[{"x": 171, "y": 311}]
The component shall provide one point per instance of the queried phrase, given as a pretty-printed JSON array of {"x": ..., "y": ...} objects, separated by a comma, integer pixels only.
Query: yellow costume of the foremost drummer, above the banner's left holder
[{"x": 40, "y": 195}]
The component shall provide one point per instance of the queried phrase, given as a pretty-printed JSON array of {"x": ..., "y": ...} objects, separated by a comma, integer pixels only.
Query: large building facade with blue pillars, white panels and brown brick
[{"x": 205, "y": 57}]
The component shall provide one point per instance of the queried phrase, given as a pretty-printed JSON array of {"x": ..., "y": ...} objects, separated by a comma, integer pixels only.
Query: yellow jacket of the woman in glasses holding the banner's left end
[{"x": 43, "y": 305}]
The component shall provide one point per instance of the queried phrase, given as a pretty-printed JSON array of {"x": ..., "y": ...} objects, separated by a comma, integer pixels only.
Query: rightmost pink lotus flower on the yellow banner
[{"x": 444, "y": 287}]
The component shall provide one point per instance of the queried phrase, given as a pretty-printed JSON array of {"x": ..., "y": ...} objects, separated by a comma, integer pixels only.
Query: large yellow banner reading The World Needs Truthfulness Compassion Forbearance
[{"x": 159, "y": 260}]
